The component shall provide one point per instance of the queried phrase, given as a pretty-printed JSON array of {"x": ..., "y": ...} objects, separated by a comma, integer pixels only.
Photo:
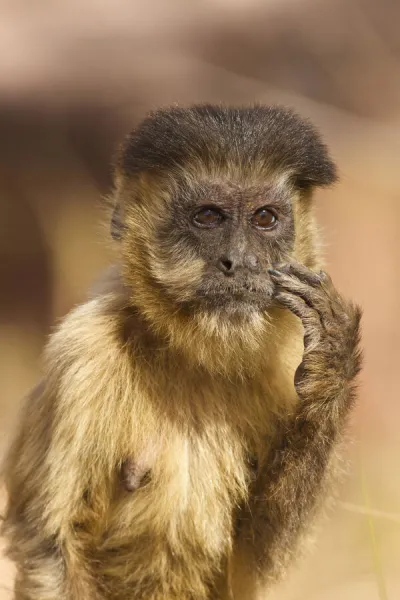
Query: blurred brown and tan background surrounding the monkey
[{"x": 76, "y": 76}]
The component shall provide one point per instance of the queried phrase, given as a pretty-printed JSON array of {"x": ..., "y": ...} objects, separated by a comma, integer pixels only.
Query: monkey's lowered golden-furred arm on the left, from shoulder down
[{"x": 54, "y": 460}]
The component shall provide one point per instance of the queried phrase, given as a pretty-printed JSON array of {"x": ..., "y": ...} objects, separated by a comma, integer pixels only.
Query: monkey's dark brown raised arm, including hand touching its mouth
[{"x": 288, "y": 487}]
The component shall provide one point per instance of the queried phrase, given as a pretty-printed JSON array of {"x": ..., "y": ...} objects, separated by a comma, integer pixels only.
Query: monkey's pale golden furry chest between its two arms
[{"x": 183, "y": 470}]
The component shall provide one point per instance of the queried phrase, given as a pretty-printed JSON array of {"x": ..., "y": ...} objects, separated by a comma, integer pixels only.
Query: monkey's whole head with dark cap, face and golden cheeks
[{"x": 207, "y": 199}]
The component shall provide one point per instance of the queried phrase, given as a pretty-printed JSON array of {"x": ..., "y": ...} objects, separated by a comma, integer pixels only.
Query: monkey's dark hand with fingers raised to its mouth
[{"x": 331, "y": 335}]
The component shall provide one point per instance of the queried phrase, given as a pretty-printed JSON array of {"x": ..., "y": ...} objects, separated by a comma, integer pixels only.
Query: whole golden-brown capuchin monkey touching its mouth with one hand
[{"x": 180, "y": 442}]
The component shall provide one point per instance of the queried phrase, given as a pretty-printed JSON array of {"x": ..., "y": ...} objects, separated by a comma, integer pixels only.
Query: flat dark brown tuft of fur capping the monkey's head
[{"x": 271, "y": 135}]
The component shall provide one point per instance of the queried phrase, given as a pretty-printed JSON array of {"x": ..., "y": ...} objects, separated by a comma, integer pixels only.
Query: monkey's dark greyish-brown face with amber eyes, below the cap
[{"x": 213, "y": 249}]
